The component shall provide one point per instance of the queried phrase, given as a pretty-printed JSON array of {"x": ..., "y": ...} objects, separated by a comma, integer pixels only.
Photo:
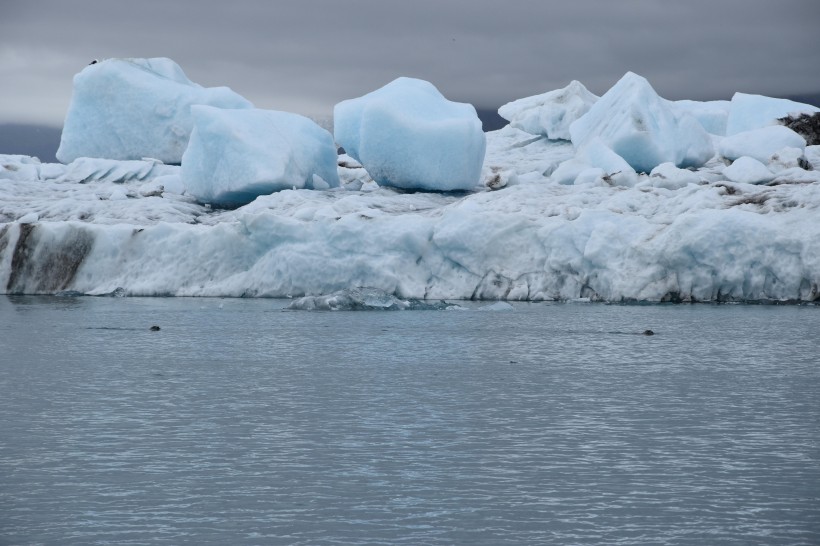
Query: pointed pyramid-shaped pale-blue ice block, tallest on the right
[{"x": 643, "y": 128}]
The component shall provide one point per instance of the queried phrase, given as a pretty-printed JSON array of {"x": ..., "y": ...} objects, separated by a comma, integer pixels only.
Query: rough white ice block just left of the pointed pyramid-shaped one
[{"x": 549, "y": 114}]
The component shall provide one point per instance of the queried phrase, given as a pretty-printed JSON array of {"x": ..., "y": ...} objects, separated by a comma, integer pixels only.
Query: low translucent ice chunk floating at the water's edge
[{"x": 364, "y": 299}]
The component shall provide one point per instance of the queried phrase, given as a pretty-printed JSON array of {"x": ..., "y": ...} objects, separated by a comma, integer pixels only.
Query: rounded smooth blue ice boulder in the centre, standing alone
[{"x": 407, "y": 135}]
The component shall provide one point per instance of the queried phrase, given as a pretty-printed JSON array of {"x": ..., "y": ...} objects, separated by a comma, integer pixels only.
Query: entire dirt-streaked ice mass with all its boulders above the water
[{"x": 169, "y": 188}]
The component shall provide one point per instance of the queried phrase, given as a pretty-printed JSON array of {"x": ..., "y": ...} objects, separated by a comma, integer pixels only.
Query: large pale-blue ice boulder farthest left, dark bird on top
[{"x": 129, "y": 109}]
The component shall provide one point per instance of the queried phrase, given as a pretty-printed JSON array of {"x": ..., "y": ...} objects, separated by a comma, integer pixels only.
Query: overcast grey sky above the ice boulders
[{"x": 304, "y": 56}]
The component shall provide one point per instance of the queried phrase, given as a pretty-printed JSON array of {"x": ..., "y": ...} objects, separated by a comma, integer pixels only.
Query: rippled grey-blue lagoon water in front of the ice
[{"x": 242, "y": 423}]
